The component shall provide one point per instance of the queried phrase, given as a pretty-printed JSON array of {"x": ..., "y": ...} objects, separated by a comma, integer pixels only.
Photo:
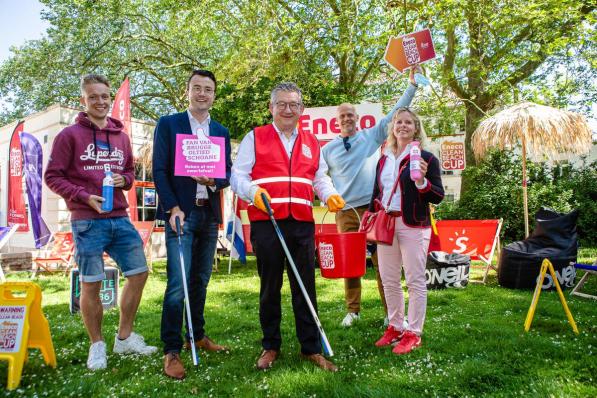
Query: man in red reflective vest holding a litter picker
[{"x": 285, "y": 164}]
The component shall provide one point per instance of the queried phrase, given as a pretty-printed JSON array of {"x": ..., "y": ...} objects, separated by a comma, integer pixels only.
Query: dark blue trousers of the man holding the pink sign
[{"x": 199, "y": 239}]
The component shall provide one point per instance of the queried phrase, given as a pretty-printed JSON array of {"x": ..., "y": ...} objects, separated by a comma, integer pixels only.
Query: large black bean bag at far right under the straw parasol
[{"x": 554, "y": 238}]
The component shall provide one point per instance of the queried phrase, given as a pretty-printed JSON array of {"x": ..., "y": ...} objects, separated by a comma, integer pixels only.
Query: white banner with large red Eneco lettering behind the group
[{"x": 322, "y": 121}]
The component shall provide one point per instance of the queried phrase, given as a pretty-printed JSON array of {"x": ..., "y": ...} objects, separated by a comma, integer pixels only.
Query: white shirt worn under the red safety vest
[{"x": 241, "y": 182}]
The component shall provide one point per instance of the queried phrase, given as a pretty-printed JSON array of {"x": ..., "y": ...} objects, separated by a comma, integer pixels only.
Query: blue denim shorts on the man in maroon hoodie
[{"x": 115, "y": 236}]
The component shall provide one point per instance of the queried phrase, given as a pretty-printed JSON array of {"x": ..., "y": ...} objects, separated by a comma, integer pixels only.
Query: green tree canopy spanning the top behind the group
[{"x": 490, "y": 53}]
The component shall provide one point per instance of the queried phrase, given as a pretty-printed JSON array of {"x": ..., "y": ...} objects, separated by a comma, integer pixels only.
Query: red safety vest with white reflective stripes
[{"x": 289, "y": 182}]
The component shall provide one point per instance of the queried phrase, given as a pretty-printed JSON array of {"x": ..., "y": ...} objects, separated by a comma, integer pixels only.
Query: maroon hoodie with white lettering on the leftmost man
[{"x": 76, "y": 166}]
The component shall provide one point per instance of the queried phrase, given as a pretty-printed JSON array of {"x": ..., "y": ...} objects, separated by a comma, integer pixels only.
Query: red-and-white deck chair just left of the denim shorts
[{"x": 58, "y": 251}]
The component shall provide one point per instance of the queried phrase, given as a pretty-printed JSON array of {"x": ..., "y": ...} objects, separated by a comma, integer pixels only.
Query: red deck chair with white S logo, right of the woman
[{"x": 478, "y": 239}]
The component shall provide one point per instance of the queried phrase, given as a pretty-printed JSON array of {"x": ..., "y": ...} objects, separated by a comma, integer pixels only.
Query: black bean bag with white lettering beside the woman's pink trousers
[{"x": 447, "y": 270}]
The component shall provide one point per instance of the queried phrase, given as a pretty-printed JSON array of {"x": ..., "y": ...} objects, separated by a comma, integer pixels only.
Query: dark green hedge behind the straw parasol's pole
[{"x": 496, "y": 192}]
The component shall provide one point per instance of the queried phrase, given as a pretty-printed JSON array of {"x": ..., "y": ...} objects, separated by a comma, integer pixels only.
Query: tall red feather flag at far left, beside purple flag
[{"x": 17, "y": 213}]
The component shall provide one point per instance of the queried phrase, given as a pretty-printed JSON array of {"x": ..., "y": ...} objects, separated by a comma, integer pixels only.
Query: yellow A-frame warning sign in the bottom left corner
[{"x": 22, "y": 326}]
